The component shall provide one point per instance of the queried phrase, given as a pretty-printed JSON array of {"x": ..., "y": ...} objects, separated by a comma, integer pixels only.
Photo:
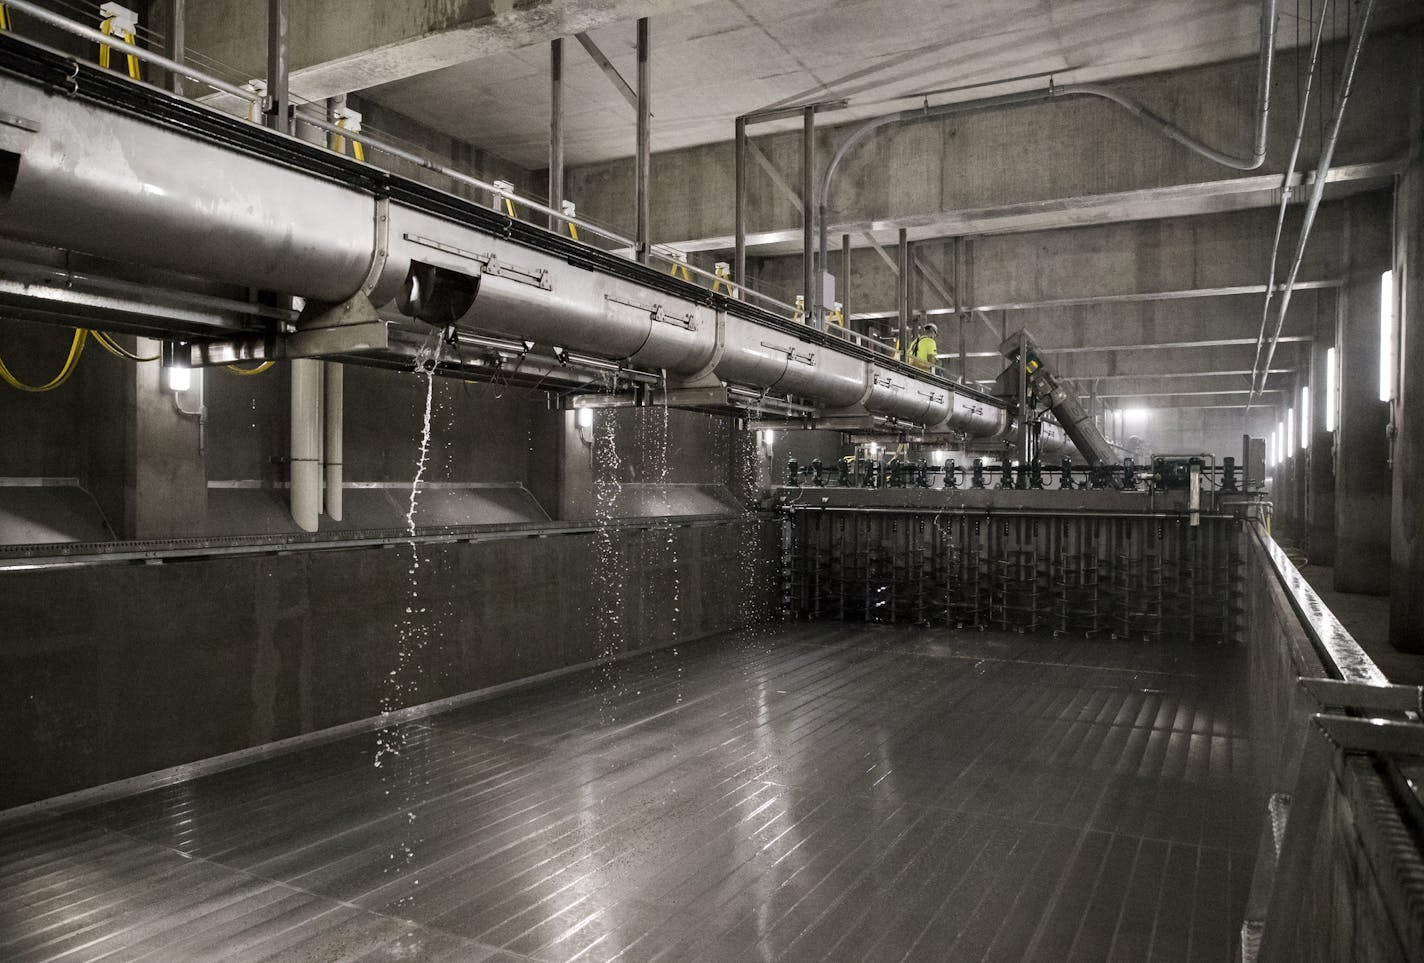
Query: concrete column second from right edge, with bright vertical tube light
[{"x": 1363, "y": 485}]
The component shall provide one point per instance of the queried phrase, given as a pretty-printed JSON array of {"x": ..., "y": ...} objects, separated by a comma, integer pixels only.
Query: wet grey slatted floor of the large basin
[{"x": 814, "y": 794}]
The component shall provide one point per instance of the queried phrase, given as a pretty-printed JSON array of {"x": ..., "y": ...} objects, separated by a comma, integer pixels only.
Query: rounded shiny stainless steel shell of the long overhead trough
[{"x": 100, "y": 182}]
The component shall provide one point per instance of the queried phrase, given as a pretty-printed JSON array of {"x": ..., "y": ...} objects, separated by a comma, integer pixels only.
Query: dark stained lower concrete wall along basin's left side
[{"x": 120, "y": 670}]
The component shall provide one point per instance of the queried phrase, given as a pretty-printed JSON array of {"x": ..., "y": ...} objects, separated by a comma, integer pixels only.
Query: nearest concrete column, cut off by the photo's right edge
[{"x": 1408, "y": 543}]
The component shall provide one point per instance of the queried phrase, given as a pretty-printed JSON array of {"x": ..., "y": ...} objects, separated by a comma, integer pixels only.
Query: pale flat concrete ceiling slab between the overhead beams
[{"x": 728, "y": 58}]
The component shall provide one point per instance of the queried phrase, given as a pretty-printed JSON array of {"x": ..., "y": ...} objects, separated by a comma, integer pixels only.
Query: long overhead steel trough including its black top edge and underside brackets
[{"x": 227, "y": 203}]
